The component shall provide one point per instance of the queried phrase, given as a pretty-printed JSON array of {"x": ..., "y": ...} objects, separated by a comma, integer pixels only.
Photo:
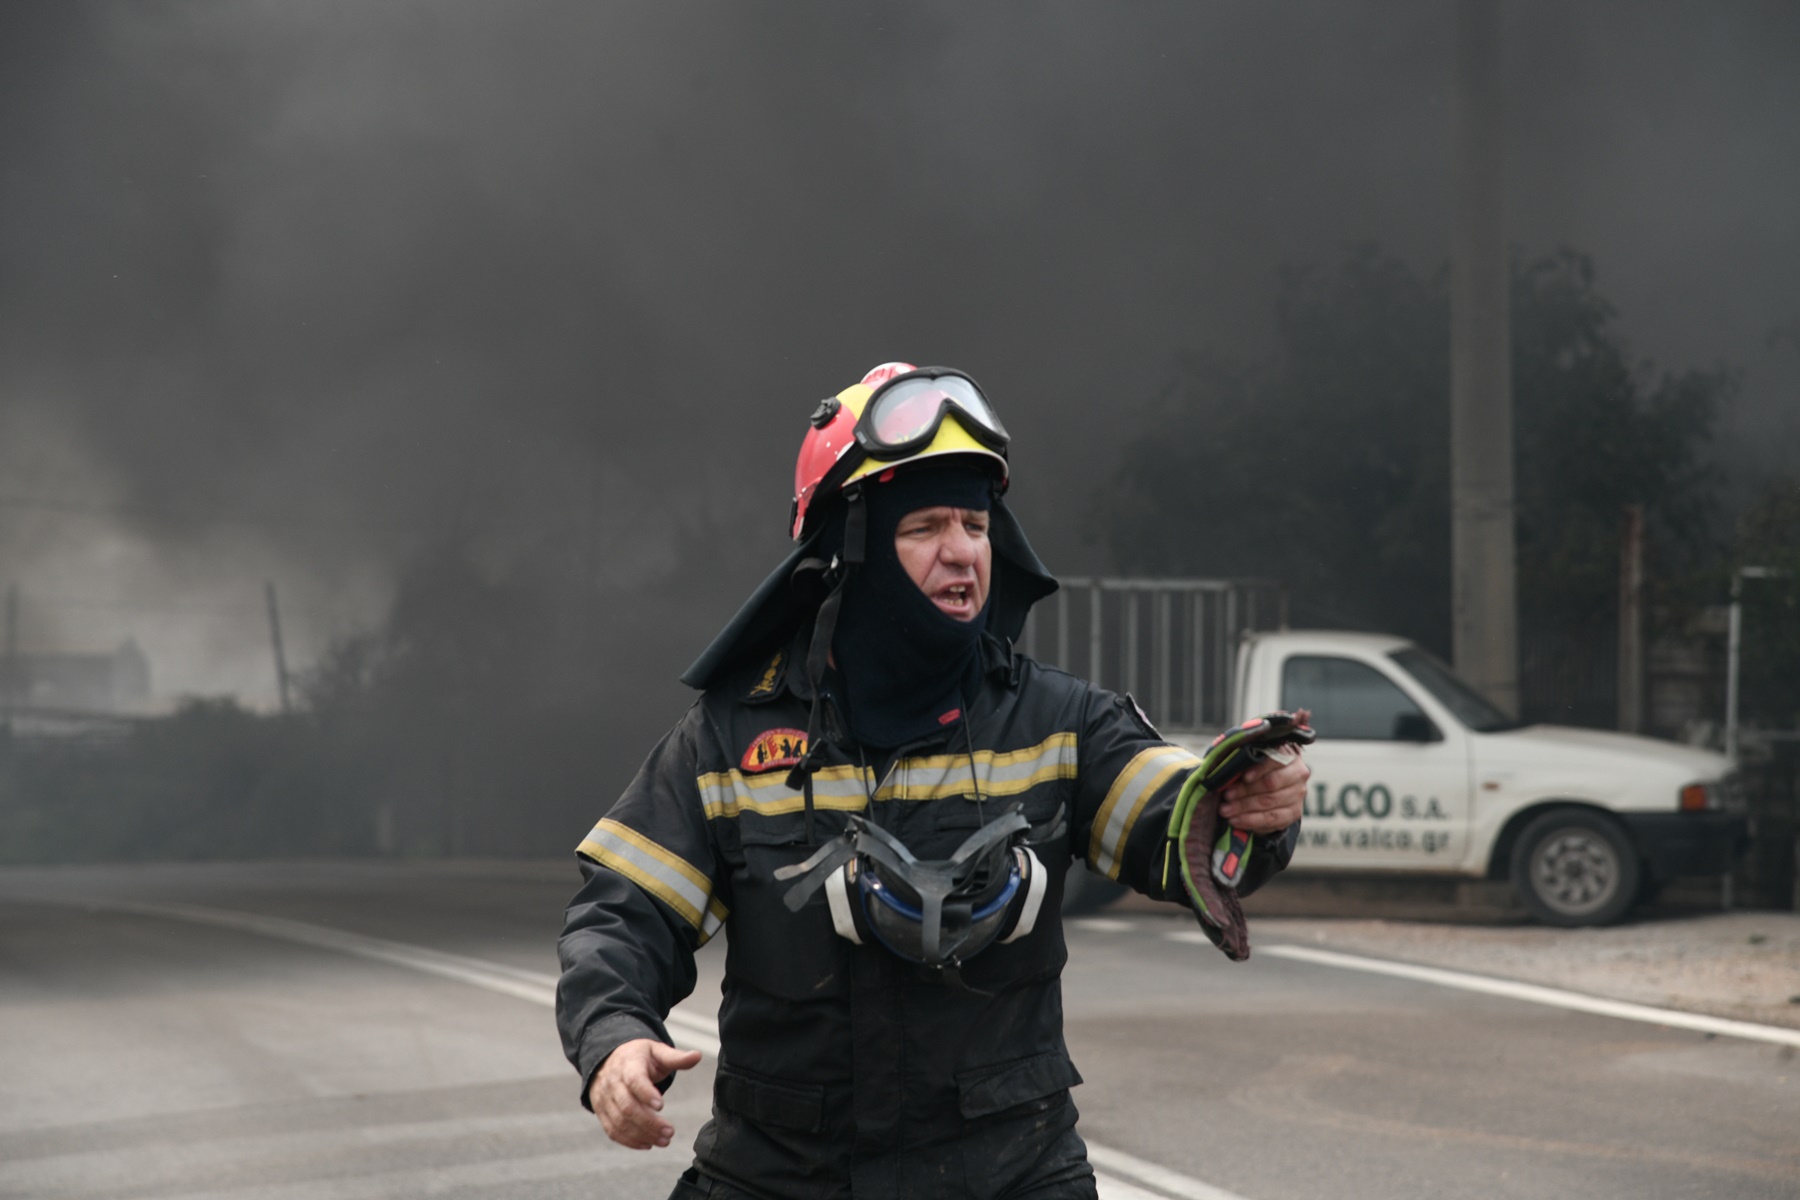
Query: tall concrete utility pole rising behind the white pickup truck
[{"x": 1484, "y": 591}]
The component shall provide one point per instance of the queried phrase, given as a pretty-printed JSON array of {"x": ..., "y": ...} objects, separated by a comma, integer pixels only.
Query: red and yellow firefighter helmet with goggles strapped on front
[{"x": 897, "y": 415}]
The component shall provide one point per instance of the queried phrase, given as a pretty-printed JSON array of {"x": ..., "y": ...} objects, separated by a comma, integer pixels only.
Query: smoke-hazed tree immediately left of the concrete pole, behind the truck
[{"x": 1324, "y": 467}]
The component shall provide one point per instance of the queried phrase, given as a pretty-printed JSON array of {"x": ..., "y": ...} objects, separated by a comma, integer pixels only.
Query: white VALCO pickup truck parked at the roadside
[{"x": 1417, "y": 773}]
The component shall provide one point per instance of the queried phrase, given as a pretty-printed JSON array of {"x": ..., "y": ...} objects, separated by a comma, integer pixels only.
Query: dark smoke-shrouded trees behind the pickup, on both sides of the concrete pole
[{"x": 1327, "y": 465}]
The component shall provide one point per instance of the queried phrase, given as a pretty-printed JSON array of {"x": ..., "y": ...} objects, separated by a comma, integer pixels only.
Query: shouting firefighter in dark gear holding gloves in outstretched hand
[{"x": 879, "y": 798}]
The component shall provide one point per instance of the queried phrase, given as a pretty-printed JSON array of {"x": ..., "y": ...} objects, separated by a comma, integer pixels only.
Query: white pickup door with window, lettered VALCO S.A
[{"x": 1390, "y": 782}]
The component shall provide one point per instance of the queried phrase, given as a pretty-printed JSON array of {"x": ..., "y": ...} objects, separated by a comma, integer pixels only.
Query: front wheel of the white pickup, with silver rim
[{"x": 1576, "y": 868}]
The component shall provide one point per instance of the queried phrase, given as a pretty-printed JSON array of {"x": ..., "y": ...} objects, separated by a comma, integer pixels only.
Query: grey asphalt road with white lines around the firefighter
[{"x": 346, "y": 1032}]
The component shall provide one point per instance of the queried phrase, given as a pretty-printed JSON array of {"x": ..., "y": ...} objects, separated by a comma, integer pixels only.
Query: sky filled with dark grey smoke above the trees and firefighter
[{"x": 296, "y": 291}]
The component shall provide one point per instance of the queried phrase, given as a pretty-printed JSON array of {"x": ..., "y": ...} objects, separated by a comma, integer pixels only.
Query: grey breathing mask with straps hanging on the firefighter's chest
[{"x": 935, "y": 913}]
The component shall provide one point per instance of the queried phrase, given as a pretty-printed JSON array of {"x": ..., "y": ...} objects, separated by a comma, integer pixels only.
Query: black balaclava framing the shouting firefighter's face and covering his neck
[{"x": 904, "y": 663}]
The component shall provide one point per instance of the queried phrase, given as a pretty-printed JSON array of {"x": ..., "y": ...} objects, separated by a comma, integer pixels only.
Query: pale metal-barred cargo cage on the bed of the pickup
[{"x": 1169, "y": 643}]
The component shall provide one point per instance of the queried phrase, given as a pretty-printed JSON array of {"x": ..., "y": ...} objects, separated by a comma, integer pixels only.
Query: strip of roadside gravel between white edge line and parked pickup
[{"x": 1741, "y": 965}]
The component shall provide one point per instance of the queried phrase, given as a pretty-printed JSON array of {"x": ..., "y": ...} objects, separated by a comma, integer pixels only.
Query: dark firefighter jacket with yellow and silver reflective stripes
[{"x": 847, "y": 1071}]
